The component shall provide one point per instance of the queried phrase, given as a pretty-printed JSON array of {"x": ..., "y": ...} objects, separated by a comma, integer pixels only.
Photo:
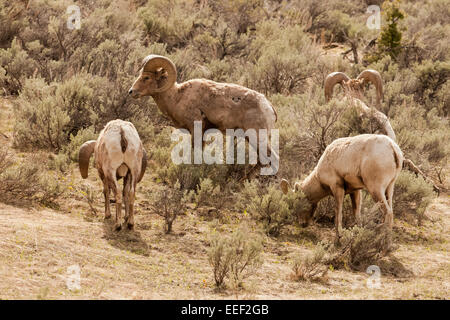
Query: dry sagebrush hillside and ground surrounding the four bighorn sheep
[{"x": 59, "y": 87}]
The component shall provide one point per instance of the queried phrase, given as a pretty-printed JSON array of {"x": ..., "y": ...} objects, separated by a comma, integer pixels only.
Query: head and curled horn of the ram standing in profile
[{"x": 157, "y": 74}]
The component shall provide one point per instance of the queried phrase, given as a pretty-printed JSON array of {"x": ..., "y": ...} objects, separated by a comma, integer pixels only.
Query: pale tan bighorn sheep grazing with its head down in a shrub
[{"x": 368, "y": 161}]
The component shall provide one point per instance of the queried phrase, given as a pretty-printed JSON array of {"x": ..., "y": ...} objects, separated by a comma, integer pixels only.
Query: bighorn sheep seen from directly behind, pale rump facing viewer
[{"x": 118, "y": 153}]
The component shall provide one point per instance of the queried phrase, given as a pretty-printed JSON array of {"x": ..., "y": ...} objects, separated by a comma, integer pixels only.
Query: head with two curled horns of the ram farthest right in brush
[{"x": 354, "y": 87}]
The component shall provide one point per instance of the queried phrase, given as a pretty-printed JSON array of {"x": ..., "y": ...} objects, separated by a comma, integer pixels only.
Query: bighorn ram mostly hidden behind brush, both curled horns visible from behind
[{"x": 354, "y": 91}]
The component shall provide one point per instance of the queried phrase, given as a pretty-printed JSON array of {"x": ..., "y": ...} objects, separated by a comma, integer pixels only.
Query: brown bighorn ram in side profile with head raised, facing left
[{"x": 217, "y": 105}]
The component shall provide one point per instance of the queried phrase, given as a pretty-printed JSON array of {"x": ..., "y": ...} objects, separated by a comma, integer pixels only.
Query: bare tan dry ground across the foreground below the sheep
[{"x": 38, "y": 247}]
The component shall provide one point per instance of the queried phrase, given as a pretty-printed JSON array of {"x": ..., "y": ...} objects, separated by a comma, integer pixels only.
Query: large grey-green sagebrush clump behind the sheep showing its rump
[{"x": 49, "y": 116}]
